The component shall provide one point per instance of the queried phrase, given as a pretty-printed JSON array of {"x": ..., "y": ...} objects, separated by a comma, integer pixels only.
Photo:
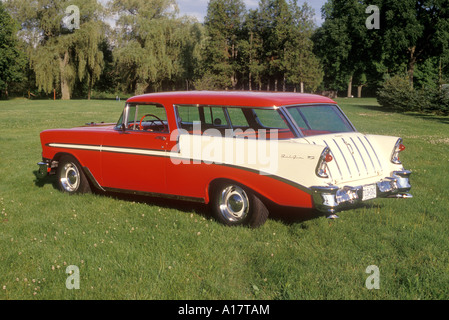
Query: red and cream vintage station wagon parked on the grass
[{"x": 237, "y": 151}]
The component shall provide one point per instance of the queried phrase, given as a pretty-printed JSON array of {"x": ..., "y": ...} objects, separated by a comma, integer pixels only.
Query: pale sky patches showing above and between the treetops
[{"x": 198, "y": 8}]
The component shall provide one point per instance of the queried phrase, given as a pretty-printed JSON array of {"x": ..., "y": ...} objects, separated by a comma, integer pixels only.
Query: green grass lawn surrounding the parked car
[{"x": 136, "y": 248}]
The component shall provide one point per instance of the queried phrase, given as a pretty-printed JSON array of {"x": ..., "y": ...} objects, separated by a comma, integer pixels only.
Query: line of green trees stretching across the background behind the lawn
[{"x": 138, "y": 46}]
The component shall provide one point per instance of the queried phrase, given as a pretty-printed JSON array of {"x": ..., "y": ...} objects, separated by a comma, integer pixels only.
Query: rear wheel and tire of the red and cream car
[{"x": 234, "y": 205}]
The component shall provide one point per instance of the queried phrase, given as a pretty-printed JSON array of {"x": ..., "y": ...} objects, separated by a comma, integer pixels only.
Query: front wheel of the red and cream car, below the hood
[{"x": 71, "y": 177}]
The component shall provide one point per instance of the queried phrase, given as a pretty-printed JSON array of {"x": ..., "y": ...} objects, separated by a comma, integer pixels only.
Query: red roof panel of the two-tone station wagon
[{"x": 231, "y": 98}]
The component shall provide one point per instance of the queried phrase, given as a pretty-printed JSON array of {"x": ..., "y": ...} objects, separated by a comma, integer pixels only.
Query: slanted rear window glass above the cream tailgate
[{"x": 320, "y": 119}]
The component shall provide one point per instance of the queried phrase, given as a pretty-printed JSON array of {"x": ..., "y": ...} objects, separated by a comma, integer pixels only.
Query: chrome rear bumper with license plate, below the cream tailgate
[{"x": 332, "y": 199}]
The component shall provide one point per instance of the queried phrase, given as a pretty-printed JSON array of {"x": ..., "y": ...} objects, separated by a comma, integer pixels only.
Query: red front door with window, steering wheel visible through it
[{"x": 134, "y": 156}]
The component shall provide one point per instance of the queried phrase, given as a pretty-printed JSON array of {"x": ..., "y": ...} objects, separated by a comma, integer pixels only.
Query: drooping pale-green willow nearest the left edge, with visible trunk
[{"x": 62, "y": 45}]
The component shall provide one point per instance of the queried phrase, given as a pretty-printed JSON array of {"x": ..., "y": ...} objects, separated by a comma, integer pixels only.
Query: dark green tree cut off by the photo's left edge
[{"x": 12, "y": 59}]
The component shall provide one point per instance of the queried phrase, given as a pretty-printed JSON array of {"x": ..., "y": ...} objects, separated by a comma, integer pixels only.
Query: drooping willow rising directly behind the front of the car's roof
[{"x": 150, "y": 42}]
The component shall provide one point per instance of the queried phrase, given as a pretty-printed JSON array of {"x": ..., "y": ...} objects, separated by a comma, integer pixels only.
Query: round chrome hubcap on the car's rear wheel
[{"x": 234, "y": 203}]
